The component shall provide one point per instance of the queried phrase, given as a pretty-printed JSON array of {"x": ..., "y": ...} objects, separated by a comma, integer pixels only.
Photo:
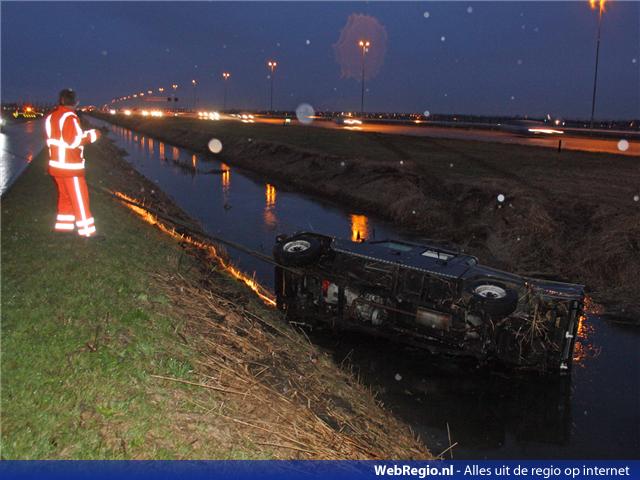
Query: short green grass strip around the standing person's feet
[{"x": 83, "y": 327}]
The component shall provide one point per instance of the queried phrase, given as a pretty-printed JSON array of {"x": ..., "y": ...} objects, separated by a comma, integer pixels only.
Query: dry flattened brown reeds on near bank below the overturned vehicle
[{"x": 288, "y": 395}]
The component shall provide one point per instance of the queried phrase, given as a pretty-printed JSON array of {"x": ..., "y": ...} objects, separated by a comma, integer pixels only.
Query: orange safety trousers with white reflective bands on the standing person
[{"x": 73, "y": 206}]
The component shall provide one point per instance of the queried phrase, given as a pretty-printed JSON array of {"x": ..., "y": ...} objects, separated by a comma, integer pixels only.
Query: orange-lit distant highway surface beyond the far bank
[{"x": 569, "y": 142}]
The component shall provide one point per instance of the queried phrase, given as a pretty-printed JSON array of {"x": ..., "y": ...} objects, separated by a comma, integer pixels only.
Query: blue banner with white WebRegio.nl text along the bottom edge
[{"x": 312, "y": 470}]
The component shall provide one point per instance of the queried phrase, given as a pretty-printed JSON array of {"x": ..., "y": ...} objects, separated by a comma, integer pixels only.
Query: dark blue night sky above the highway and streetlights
[{"x": 510, "y": 58}]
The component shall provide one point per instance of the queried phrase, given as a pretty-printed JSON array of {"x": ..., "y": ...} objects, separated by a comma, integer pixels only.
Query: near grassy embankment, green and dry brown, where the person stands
[{"x": 132, "y": 347}]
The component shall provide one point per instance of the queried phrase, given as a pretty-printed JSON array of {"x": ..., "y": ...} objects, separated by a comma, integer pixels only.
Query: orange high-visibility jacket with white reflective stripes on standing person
[{"x": 66, "y": 141}]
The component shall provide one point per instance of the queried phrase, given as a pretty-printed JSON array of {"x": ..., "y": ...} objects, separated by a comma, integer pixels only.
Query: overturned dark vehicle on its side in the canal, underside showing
[{"x": 428, "y": 296}]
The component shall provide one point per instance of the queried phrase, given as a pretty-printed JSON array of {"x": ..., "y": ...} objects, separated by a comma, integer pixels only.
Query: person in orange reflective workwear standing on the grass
[{"x": 66, "y": 140}]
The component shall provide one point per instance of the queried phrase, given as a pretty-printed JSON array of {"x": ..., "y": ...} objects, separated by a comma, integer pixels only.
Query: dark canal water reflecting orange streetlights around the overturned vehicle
[{"x": 595, "y": 413}]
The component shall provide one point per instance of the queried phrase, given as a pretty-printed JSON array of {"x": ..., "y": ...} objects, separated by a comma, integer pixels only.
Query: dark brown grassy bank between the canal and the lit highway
[{"x": 570, "y": 215}]
